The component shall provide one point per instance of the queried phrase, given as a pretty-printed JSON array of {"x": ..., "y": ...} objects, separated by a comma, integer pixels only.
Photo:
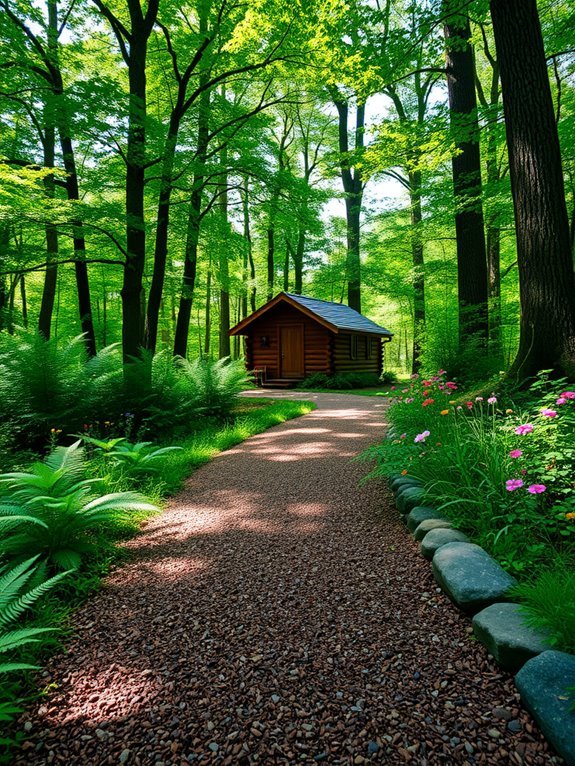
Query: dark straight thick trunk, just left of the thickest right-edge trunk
[{"x": 466, "y": 165}]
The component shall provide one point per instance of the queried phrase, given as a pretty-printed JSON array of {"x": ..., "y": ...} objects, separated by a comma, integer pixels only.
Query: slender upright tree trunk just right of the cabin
[{"x": 417, "y": 257}]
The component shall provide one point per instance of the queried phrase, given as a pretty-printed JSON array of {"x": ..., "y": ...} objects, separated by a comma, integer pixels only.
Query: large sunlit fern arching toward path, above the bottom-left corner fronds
[{"x": 53, "y": 511}]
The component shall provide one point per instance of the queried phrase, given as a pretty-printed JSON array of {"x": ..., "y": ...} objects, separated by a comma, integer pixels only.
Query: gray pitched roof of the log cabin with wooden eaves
[{"x": 334, "y": 316}]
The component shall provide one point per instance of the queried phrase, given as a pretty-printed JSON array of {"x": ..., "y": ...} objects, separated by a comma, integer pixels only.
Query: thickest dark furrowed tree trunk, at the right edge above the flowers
[{"x": 546, "y": 282}]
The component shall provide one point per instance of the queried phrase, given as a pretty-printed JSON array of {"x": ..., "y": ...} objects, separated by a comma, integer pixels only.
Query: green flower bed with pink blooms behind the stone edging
[{"x": 510, "y": 491}]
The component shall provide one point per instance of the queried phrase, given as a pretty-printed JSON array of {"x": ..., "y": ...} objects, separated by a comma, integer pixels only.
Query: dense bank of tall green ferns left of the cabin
[{"x": 48, "y": 385}]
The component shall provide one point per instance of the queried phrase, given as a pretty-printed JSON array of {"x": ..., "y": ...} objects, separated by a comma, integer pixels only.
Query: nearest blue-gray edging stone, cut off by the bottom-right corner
[{"x": 542, "y": 683}]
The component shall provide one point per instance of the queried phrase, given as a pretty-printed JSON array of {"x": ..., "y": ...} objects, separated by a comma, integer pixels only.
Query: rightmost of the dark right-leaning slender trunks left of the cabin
[{"x": 193, "y": 232}]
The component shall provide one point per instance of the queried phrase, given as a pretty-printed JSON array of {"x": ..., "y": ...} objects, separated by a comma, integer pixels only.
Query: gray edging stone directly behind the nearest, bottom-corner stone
[{"x": 502, "y": 630}]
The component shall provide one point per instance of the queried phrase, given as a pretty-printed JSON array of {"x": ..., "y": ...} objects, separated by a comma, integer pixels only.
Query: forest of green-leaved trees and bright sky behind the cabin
[{"x": 165, "y": 169}]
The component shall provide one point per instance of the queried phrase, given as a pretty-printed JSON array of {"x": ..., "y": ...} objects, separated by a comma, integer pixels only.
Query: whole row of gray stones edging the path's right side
[{"x": 479, "y": 586}]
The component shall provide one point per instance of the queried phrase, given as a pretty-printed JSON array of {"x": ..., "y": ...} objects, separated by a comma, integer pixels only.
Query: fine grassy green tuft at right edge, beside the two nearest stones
[{"x": 548, "y": 600}]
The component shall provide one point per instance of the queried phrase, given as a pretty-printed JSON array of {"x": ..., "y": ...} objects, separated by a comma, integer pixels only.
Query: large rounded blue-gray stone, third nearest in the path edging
[{"x": 470, "y": 576}]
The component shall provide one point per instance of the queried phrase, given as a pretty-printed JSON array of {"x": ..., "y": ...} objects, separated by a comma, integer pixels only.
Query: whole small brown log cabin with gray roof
[{"x": 293, "y": 336}]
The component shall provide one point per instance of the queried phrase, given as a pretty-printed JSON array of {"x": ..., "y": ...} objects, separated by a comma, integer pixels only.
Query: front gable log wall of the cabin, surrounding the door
[{"x": 316, "y": 340}]
